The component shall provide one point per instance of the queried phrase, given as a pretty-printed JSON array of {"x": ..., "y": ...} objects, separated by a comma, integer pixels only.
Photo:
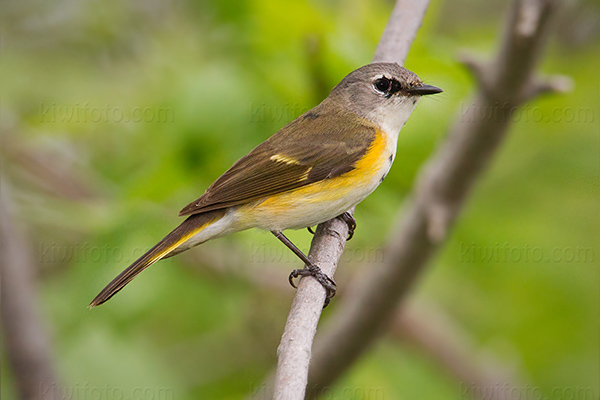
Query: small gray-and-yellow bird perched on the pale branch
[{"x": 314, "y": 169}]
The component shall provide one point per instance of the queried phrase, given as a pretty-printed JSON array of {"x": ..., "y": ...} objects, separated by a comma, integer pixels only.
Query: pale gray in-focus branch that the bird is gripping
[{"x": 294, "y": 353}]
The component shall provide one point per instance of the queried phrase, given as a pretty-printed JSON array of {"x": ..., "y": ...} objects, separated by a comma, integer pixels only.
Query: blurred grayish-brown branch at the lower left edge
[{"x": 27, "y": 346}]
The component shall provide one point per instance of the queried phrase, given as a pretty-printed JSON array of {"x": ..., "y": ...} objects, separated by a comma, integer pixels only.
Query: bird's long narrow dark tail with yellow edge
[{"x": 167, "y": 247}]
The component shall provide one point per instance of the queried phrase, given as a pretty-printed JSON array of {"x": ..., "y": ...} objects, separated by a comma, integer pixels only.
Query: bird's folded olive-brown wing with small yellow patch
[{"x": 303, "y": 152}]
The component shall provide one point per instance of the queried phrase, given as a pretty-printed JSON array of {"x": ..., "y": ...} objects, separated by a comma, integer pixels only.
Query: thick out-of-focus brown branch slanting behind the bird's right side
[{"x": 440, "y": 193}]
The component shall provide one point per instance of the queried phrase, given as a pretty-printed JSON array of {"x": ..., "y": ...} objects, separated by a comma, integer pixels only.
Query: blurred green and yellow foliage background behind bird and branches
[{"x": 519, "y": 274}]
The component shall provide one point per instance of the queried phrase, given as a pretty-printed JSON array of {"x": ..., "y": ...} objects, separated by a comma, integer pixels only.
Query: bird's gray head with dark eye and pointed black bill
[{"x": 383, "y": 93}]
